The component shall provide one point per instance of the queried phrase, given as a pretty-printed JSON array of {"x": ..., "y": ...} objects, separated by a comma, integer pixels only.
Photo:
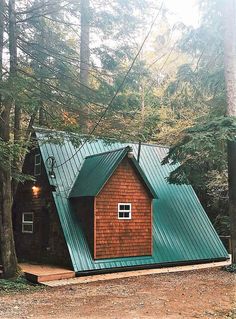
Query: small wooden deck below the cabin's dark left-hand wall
[{"x": 43, "y": 273}]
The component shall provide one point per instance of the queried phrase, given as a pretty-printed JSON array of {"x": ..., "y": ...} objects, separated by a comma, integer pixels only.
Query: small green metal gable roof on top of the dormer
[{"x": 98, "y": 168}]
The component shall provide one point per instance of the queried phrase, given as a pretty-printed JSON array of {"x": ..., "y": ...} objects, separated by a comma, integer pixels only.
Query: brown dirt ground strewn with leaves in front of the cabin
[{"x": 195, "y": 294}]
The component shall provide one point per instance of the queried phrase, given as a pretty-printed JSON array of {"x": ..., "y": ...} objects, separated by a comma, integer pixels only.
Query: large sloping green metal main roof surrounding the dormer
[{"x": 182, "y": 232}]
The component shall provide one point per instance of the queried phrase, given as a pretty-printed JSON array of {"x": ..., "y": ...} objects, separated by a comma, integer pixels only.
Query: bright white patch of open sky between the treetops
[{"x": 184, "y": 10}]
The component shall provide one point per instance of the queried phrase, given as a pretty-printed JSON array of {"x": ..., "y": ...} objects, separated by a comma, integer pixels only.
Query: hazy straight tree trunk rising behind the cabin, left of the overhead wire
[{"x": 84, "y": 58}]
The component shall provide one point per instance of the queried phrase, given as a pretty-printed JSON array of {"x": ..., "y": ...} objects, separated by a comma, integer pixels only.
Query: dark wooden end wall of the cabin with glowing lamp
[{"x": 47, "y": 243}]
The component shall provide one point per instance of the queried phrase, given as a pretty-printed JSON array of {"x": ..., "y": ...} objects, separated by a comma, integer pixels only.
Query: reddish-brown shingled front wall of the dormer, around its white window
[{"x": 122, "y": 238}]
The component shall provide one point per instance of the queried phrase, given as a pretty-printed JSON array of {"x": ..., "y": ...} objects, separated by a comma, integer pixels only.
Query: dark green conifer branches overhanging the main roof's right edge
[{"x": 202, "y": 149}]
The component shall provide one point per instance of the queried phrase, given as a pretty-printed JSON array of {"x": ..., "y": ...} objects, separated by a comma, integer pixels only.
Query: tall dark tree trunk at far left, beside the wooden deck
[{"x": 8, "y": 253}]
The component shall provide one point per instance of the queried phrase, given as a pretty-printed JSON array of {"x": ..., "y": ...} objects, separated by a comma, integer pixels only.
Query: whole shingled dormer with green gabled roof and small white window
[{"x": 113, "y": 200}]
